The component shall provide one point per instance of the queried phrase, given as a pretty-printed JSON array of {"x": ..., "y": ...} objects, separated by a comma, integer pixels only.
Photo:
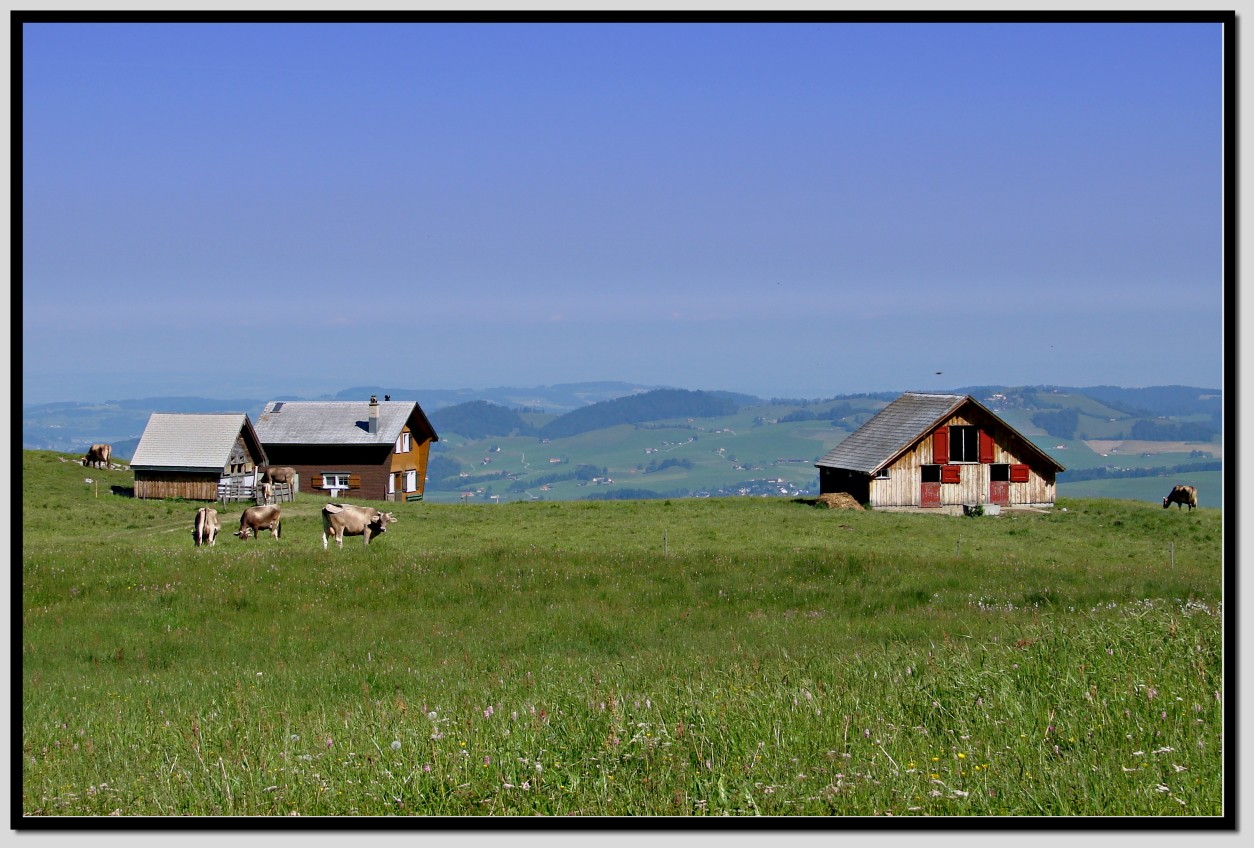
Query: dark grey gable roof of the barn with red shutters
[{"x": 900, "y": 426}]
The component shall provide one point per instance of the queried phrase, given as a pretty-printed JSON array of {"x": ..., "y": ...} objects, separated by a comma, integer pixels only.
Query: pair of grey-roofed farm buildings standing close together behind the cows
[{"x": 377, "y": 451}]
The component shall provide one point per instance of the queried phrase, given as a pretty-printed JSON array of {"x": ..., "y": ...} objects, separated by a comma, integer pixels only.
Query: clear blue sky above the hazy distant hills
[{"x": 787, "y": 210}]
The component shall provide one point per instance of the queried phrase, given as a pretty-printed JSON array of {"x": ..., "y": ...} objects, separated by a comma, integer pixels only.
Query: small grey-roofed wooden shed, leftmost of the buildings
[{"x": 195, "y": 455}]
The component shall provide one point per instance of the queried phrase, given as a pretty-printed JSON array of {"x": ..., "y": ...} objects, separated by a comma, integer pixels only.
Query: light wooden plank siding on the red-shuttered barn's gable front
[{"x": 905, "y": 482}]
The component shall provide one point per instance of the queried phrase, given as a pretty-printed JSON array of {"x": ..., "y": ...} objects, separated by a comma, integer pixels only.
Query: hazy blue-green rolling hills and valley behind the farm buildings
[{"x": 626, "y": 441}]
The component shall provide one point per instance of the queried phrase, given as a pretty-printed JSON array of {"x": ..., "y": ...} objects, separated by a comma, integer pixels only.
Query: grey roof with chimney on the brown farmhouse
[{"x": 339, "y": 422}]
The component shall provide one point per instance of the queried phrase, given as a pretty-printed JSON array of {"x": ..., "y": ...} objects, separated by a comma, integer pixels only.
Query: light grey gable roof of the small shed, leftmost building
[{"x": 194, "y": 441}]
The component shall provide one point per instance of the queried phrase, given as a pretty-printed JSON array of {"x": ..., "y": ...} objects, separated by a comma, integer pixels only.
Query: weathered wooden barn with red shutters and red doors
[{"x": 940, "y": 452}]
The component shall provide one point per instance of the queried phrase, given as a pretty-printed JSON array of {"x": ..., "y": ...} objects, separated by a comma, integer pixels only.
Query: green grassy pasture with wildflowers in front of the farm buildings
[{"x": 744, "y": 657}]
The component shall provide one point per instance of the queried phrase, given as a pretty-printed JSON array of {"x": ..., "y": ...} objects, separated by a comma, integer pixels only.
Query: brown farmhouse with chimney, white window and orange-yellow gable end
[{"x": 376, "y": 451}]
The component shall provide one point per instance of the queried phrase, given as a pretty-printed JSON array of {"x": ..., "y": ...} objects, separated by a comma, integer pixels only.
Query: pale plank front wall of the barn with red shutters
[{"x": 906, "y": 476}]
